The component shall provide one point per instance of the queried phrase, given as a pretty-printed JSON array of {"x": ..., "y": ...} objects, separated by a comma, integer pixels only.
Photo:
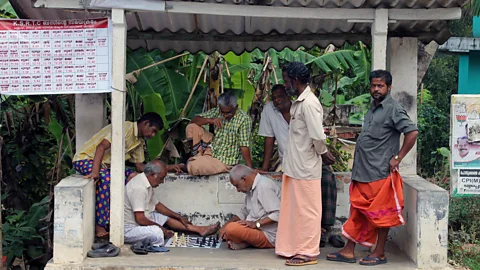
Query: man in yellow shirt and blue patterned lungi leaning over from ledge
[{"x": 93, "y": 161}]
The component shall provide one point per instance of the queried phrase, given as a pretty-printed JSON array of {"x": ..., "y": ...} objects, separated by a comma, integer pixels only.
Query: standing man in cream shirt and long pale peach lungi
[{"x": 299, "y": 226}]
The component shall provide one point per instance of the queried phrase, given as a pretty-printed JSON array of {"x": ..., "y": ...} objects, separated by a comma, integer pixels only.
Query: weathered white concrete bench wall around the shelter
[{"x": 205, "y": 200}]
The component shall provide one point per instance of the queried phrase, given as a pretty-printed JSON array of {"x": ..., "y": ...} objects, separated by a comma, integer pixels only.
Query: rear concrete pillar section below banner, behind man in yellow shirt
[{"x": 90, "y": 117}]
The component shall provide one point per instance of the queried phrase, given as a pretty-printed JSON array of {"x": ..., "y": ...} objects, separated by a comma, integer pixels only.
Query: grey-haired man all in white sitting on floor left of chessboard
[{"x": 145, "y": 216}]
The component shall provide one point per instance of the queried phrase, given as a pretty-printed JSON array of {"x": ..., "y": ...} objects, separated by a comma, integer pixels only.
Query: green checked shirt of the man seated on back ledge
[{"x": 232, "y": 135}]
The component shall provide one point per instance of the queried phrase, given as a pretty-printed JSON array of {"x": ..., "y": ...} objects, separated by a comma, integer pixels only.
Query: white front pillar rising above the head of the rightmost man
[{"x": 379, "y": 39}]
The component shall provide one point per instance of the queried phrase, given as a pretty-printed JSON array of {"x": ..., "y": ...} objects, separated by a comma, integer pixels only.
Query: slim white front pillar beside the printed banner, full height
[{"x": 117, "y": 185}]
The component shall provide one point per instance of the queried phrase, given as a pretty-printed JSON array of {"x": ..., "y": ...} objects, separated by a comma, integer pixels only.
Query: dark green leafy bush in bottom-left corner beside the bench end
[{"x": 21, "y": 230}]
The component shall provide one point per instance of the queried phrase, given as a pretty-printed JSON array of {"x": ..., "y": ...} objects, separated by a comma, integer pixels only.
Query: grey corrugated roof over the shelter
[{"x": 208, "y": 33}]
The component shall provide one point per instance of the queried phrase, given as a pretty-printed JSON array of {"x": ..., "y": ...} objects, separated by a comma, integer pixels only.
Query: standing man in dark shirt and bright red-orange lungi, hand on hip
[{"x": 376, "y": 191}]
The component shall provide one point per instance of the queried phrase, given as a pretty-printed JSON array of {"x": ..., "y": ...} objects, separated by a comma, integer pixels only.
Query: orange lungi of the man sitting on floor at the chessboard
[{"x": 238, "y": 233}]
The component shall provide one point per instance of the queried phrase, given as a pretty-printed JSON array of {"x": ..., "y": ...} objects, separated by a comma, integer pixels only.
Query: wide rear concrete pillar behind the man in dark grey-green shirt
[{"x": 403, "y": 66}]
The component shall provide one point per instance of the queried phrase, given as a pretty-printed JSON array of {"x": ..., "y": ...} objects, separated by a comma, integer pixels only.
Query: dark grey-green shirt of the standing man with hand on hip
[{"x": 379, "y": 140}]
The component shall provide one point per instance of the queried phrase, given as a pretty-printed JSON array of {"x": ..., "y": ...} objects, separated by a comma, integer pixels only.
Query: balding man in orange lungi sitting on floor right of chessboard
[{"x": 256, "y": 225}]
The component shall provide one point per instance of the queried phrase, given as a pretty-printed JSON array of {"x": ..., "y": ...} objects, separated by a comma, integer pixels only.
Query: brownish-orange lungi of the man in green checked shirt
[{"x": 203, "y": 163}]
